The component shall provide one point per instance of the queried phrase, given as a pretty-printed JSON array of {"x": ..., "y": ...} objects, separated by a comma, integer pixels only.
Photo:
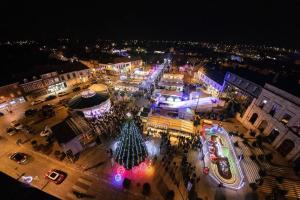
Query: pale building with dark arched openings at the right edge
[{"x": 276, "y": 114}]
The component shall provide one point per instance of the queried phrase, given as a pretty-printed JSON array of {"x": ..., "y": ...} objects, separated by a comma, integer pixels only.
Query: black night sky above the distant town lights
[{"x": 246, "y": 21}]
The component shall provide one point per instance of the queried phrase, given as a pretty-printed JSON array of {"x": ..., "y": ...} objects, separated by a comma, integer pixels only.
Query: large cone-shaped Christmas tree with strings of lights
[{"x": 131, "y": 149}]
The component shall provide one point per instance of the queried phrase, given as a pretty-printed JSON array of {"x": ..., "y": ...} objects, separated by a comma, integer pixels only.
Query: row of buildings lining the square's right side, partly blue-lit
[{"x": 265, "y": 108}]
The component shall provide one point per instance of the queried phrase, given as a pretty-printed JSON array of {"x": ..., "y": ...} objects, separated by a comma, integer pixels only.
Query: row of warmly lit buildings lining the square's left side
[{"x": 55, "y": 78}]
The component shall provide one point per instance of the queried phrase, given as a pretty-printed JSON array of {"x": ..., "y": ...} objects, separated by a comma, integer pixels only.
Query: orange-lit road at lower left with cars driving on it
[{"x": 40, "y": 163}]
